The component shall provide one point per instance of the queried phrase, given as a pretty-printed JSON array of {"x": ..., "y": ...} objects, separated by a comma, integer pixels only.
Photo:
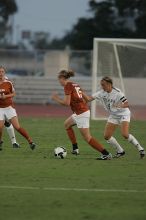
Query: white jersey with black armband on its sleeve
[{"x": 112, "y": 99}]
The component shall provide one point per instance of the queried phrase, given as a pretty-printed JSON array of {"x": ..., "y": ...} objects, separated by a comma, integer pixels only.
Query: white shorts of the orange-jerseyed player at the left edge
[{"x": 7, "y": 113}]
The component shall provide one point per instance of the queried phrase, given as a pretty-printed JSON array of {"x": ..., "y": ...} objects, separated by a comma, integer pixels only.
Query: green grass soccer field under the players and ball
[{"x": 40, "y": 171}]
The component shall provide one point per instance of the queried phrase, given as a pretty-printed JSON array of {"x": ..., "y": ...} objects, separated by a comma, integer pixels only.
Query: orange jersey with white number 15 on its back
[{"x": 77, "y": 102}]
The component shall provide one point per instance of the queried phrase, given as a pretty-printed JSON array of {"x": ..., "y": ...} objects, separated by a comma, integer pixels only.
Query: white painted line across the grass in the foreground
[{"x": 72, "y": 189}]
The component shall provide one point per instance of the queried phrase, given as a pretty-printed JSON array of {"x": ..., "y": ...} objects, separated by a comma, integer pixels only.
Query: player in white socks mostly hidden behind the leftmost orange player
[{"x": 10, "y": 131}]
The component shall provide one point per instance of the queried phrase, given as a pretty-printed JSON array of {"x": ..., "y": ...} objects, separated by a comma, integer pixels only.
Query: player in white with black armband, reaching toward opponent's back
[{"x": 115, "y": 102}]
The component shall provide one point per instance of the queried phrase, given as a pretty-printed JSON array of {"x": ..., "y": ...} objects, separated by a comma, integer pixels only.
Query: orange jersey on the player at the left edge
[{"x": 6, "y": 88}]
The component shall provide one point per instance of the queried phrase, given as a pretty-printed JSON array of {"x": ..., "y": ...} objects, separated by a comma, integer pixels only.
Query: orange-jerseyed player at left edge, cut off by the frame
[{"x": 7, "y": 110}]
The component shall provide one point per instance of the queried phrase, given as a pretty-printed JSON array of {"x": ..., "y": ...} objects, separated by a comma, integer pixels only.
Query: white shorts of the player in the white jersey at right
[{"x": 118, "y": 119}]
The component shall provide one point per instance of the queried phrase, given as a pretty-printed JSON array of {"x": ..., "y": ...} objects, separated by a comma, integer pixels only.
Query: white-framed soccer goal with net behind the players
[{"x": 124, "y": 60}]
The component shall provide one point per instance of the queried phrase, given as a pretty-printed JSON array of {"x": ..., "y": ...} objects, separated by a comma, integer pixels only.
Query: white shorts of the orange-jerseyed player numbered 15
[{"x": 82, "y": 120}]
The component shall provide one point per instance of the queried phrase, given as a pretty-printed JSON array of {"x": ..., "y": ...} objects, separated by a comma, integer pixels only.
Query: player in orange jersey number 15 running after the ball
[{"x": 81, "y": 114}]
